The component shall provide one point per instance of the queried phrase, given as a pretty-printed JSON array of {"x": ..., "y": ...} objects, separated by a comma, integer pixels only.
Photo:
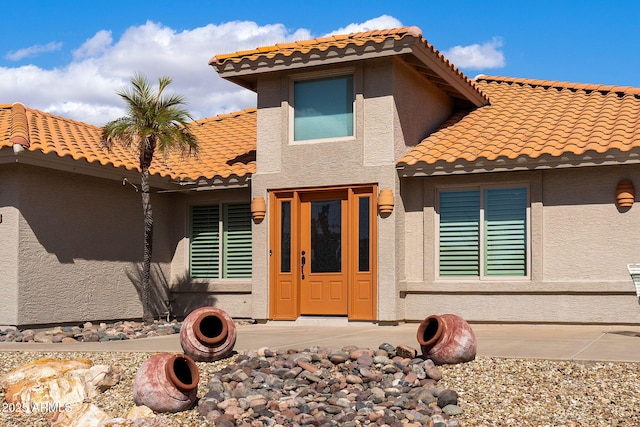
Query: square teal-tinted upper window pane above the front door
[{"x": 323, "y": 108}]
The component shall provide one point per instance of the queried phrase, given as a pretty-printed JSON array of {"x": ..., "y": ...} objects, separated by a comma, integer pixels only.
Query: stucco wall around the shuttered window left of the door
[{"x": 231, "y": 295}]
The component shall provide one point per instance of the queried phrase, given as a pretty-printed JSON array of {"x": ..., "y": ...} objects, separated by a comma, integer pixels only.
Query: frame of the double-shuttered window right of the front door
[{"x": 482, "y": 277}]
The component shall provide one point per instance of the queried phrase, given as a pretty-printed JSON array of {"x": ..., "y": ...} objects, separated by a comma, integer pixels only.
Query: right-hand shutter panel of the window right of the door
[{"x": 505, "y": 227}]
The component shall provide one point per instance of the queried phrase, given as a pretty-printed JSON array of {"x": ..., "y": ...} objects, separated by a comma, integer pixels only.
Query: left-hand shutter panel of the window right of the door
[{"x": 460, "y": 233}]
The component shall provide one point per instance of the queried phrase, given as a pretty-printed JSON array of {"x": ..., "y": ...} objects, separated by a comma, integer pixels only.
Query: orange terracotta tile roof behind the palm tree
[{"x": 223, "y": 142}]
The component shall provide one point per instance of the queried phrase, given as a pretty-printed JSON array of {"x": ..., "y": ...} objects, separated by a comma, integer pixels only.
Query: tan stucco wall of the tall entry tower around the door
[{"x": 384, "y": 126}]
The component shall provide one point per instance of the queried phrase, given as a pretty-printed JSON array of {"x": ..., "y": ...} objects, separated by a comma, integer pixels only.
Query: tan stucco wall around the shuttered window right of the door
[{"x": 580, "y": 246}]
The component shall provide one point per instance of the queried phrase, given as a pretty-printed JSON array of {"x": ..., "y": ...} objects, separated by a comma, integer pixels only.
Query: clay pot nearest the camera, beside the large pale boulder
[{"x": 166, "y": 383}]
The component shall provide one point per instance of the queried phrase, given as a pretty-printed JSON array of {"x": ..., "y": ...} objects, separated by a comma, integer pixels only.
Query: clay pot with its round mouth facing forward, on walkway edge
[{"x": 208, "y": 334}]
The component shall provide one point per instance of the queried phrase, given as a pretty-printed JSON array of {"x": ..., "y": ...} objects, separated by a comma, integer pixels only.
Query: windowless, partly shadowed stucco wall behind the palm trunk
[{"x": 78, "y": 239}]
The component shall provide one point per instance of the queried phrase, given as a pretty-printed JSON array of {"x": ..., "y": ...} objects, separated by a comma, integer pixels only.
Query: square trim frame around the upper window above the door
[{"x": 319, "y": 75}]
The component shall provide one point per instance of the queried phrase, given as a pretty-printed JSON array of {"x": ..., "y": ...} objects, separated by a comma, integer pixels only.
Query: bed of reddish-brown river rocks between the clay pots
[{"x": 350, "y": 387}]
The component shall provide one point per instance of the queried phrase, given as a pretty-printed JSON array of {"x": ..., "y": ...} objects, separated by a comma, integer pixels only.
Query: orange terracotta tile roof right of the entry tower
[{"x": 528, "y": 119}]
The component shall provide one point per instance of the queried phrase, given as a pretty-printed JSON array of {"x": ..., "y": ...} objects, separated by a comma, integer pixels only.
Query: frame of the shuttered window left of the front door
[{"x": 221, "y": 254}]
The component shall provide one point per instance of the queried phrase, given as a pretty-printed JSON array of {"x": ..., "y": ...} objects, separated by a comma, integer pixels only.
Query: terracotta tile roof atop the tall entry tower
[{"x": 327, "y": 47}]
